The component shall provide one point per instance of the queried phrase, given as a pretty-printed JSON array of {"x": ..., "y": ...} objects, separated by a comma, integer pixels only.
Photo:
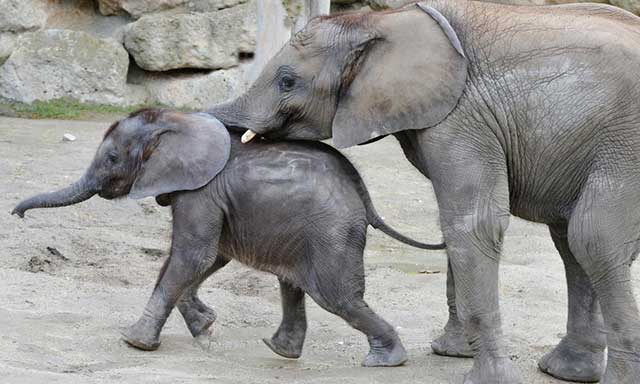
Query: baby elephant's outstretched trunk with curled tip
[{"x": 77, "y": 192}]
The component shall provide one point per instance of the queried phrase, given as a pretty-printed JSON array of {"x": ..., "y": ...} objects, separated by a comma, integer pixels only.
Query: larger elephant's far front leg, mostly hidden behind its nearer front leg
[{"x": 453, "y": 342}]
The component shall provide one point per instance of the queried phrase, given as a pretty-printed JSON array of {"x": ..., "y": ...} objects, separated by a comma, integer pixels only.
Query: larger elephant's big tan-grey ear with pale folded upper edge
[{"x": 410, "y": 75}]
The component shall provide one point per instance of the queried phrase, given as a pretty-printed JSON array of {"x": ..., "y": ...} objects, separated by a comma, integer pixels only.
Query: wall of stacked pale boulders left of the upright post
[{"x": 126, "y": 52}]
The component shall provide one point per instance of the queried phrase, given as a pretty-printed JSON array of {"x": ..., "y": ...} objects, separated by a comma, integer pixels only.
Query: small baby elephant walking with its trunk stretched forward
[{"x": 296, "y": 209}]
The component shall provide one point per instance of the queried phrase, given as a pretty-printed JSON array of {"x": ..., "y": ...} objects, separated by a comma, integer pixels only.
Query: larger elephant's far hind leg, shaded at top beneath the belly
[{"x": 580, "y": 354}]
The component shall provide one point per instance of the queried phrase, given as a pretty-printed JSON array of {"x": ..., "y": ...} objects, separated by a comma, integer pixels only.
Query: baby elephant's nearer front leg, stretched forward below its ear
[{"x": 196, "y": 231}]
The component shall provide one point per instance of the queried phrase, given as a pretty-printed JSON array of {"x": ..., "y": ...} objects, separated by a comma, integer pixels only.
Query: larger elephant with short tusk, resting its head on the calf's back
[{"x": 537, "y": 114}]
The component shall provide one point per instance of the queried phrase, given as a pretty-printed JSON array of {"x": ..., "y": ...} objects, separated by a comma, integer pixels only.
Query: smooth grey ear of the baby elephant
[{"x": 189, "y": 152}]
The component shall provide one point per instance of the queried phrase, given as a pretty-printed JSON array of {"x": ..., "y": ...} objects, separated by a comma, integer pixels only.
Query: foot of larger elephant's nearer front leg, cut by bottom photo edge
[{"x": 492, "y": 371}]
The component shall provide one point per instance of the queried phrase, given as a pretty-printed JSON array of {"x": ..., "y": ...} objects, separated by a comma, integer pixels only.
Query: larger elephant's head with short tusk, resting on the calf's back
[{"x": 356, "y": 77}]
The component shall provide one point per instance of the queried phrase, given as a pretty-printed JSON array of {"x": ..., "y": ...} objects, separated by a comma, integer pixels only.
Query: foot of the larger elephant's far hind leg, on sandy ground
[{"x": 571, "y": 361}]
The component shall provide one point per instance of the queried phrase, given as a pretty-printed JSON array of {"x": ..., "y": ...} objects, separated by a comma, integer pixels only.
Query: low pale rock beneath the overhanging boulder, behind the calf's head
[{"x": 197, "y": 90}]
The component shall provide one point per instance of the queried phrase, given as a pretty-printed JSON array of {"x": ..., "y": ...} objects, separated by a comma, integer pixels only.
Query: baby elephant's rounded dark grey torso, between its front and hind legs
[{"x": 285, "y": 198}]
